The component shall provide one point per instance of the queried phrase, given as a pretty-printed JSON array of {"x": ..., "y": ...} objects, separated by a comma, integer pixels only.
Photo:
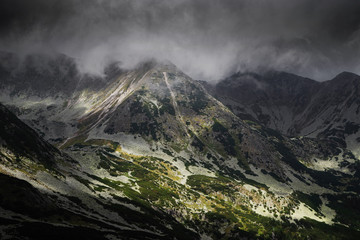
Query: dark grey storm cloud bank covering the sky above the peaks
[{"x": 206, "y": 38}]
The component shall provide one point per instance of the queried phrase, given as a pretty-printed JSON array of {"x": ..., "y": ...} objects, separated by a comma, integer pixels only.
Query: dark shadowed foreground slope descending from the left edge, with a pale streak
[{"x": 46, "y": 194}]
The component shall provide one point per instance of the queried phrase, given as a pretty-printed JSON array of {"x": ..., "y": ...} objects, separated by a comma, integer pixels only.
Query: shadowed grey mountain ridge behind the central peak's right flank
[{"x": 297, "y": 106}]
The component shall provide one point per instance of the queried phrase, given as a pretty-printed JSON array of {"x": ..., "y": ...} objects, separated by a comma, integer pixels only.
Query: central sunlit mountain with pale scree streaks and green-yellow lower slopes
[{"x": 151, "y": 151}]
